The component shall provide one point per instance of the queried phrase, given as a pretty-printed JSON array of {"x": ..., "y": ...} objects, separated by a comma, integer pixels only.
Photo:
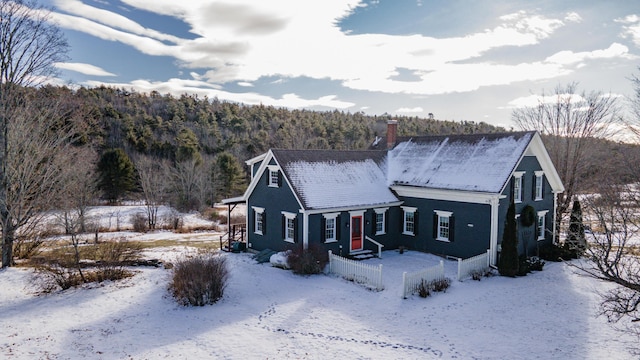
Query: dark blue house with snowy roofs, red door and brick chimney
[{"x": 445, "y": 195}]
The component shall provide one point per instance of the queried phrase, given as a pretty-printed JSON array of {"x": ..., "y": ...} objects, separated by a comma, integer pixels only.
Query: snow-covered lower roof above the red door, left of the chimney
[{"x": 325, "y": 179}]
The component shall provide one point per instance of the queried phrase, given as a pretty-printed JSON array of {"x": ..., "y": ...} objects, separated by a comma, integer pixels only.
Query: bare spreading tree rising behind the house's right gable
[{"x": 567, "y": 120}]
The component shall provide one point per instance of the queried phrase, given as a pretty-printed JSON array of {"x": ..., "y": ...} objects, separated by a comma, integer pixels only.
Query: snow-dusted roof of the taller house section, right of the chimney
[{"x": 481, "y": 163}]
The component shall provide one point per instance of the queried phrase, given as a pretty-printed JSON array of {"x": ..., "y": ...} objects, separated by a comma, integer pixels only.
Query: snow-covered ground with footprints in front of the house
[{"x": 269, "y": 313}]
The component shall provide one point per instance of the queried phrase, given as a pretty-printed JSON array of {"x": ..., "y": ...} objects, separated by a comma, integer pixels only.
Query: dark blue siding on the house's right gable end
[{"x": 528, "y": 243}]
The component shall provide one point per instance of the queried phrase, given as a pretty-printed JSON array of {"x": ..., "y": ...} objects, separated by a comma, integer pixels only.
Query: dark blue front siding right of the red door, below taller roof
[{"x": 471, "y": 227}]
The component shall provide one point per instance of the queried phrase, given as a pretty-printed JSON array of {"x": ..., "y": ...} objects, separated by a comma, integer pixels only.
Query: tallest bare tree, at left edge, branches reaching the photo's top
[{"x": 30, "y": 46}]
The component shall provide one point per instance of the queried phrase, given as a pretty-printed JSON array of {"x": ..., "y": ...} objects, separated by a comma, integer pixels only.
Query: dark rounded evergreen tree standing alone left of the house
[{"x": 117, "y": 174}]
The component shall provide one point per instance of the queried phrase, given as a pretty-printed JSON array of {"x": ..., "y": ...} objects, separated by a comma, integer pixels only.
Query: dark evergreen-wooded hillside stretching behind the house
[{"x": 176, "y": 130}]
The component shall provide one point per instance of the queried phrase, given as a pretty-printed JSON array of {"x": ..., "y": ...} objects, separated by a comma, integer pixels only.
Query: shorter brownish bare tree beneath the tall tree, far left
[{"x": 37, "y": 166}]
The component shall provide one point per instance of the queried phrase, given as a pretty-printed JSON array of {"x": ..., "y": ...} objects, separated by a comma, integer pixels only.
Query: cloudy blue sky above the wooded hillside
[{"x": 460, "y": 60}]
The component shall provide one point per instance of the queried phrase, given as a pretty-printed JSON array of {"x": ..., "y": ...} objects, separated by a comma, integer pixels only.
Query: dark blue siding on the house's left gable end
[{"x": 274, "y": 200}]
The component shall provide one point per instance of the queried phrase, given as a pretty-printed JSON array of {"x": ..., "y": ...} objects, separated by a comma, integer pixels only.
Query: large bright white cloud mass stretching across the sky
[{"x": 289, "y": 39}]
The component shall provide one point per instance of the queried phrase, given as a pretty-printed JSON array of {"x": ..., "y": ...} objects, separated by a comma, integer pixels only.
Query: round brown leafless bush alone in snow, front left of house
[{"x": 199, "y": 280}]
